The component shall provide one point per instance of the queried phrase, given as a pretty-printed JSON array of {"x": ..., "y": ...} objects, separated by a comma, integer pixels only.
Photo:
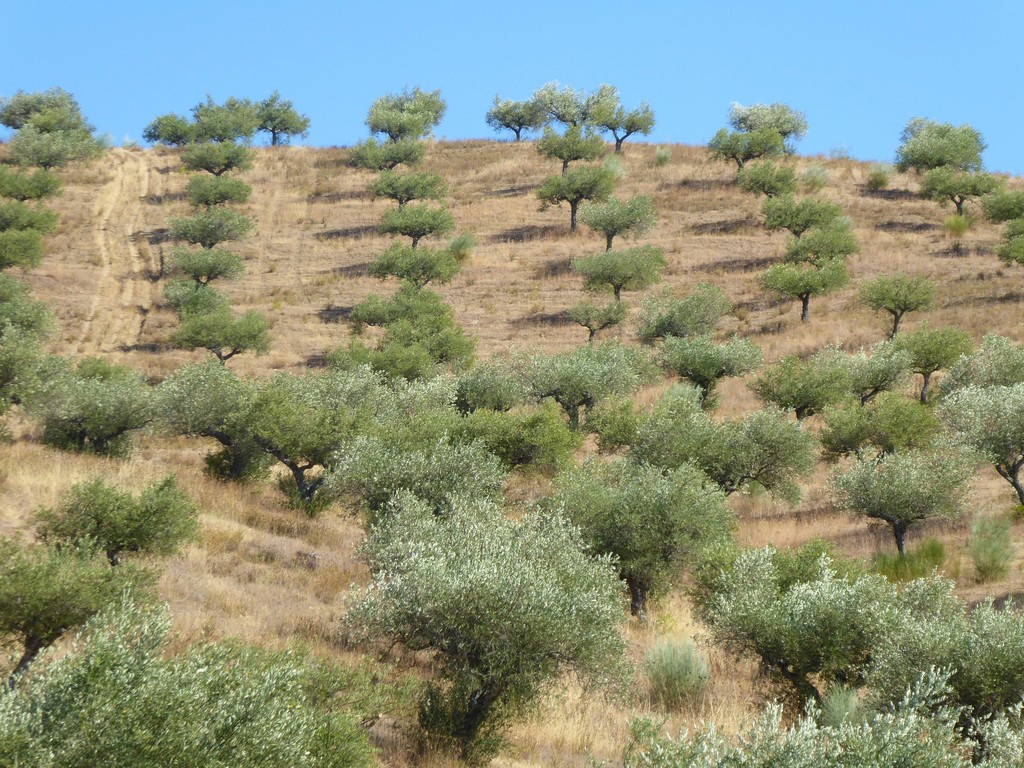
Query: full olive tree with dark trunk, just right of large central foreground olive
[{"x": 652, "y": 521}]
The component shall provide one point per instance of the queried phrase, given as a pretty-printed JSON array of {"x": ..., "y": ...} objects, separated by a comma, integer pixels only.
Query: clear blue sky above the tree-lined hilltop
[{"x": 859, "y": 69}]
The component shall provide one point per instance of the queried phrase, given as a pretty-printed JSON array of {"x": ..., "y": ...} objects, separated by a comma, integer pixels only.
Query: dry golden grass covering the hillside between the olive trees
[{"x": 271, "y": 575}]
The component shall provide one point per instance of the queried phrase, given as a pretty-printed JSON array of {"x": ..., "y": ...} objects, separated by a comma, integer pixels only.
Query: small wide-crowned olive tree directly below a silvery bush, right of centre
[{"x": 705, "y": 363}]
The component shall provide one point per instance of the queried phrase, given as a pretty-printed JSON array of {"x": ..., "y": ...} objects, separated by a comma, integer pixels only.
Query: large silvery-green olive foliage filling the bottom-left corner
[{"x": 118, "y": 701}]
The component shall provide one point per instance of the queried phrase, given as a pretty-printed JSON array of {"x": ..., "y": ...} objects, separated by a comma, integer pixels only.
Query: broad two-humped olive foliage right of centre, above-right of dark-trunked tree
[{"x": 764, "y": 449}]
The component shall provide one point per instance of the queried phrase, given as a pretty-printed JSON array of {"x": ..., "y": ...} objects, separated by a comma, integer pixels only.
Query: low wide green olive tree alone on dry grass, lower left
[{"x": 97, "y": 514}]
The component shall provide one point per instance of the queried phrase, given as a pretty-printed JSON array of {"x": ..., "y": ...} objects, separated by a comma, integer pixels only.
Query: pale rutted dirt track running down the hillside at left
[{"x": 124, "y": 293}]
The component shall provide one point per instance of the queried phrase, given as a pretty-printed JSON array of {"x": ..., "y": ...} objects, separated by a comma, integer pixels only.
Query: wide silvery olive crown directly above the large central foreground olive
[{"x": 376, "y": 470}]
